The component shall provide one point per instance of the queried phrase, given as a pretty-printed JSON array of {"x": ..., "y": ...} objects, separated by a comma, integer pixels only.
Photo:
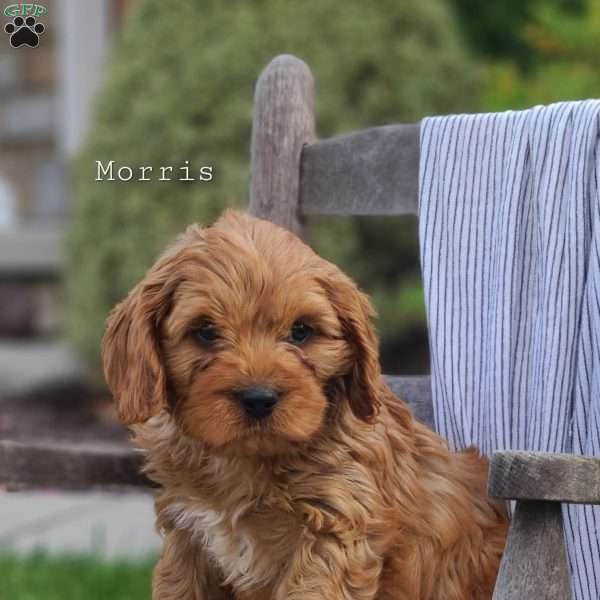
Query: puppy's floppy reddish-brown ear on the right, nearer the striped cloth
[{"x": 355, "y": 310}]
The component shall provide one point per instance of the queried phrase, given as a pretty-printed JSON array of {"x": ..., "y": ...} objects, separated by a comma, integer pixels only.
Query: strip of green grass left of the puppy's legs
[{"x": 40, "y": 577}]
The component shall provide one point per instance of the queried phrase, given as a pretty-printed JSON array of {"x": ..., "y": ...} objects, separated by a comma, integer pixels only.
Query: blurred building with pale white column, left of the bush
[{"x": 46, "y": 96}]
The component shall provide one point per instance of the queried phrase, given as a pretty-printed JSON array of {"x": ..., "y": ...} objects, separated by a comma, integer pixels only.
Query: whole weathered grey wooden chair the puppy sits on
[{"x": 370, "y": 172}]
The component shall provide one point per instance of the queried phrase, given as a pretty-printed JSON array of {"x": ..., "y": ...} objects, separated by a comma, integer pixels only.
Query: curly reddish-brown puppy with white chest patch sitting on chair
[{"x": 339, "y": 493}]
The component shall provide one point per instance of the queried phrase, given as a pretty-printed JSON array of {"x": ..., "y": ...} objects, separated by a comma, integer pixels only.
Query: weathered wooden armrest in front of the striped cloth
[{"x": 554, "y": 477}]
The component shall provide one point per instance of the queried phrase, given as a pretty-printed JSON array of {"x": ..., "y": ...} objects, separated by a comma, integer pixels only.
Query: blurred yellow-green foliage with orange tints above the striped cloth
[{"x": 564, "y": 53}]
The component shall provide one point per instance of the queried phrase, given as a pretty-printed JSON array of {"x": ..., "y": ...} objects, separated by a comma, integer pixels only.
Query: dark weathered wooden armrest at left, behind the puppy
[{"x": 69, "y": 466}]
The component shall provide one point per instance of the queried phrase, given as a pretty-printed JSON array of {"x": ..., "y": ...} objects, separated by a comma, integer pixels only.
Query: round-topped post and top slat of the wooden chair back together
[{"x": 369, "y": 172}]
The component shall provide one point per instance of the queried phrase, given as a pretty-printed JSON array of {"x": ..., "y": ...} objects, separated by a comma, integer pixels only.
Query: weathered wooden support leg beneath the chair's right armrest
[{"x": 534, "y": 564}]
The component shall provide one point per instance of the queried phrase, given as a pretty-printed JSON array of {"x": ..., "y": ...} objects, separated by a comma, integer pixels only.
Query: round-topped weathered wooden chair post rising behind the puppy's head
[{"x": 283, "y": 123}]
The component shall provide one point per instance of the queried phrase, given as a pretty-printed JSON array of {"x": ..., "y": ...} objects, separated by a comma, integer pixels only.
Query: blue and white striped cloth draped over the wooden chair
[{"x": 510, "y": 251}]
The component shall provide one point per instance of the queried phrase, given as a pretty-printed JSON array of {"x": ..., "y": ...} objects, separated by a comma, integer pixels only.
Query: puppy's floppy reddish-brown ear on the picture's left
[{"x": 131, "y": 355}]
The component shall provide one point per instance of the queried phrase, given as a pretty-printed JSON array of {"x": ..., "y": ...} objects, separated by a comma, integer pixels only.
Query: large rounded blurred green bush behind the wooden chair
[{"x": 179, "y": 87}]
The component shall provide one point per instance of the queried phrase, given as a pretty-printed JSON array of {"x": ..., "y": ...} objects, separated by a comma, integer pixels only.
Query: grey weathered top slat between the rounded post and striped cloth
[{"x": 370, "y": 172}]
